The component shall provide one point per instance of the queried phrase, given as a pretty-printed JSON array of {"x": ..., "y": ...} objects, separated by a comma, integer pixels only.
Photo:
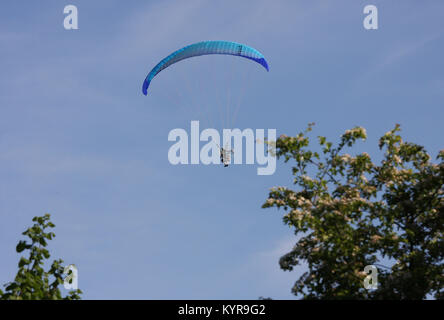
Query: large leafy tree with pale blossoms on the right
[{"x": 350, "y": 212}]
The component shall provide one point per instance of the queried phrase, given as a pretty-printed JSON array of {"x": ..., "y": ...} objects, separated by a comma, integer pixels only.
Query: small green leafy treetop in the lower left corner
[{"x": 31, "y": 281}]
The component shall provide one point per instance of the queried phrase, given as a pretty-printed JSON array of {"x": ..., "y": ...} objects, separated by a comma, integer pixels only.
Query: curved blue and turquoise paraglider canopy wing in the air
[{"x": 205, "y": 48}]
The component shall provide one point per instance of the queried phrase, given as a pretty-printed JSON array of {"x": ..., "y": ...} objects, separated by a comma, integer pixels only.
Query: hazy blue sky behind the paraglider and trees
[{"x": 80, "y": 141}]
